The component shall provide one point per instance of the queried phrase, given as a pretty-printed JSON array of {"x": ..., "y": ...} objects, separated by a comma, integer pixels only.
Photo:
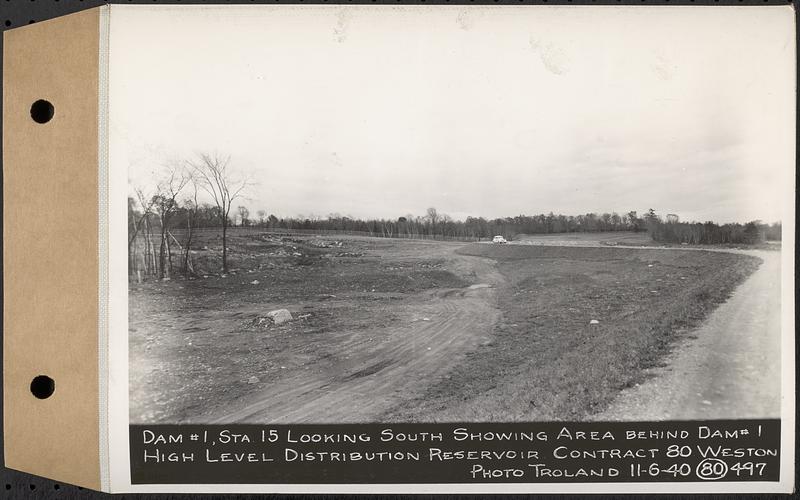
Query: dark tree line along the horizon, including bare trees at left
[{"x": 163, "y": 222}]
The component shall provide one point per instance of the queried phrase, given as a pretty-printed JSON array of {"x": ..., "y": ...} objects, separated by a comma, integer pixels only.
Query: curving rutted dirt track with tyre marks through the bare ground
[{"x": 384, "y": 367}]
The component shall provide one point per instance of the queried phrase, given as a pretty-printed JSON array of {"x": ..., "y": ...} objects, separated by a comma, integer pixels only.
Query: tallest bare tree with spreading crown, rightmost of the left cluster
[{"x": 217, "y": 181}]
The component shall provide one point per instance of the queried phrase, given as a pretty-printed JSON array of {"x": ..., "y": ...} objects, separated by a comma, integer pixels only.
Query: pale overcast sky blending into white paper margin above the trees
[{"x": 483, "y": 111}]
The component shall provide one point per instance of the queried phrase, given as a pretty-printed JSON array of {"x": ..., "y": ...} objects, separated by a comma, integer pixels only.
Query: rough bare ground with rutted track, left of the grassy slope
[{"x": 373, "y": 319}]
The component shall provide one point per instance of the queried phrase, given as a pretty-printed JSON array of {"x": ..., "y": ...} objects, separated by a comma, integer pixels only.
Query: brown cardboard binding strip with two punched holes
[{"x": 50, "y": 259}]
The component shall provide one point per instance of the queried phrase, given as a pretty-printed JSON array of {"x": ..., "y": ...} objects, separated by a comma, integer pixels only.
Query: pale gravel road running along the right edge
[{"x": 729, "y": 368}]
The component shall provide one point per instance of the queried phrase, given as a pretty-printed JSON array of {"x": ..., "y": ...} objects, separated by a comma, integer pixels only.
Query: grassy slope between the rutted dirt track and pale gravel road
[{"x": 547, "y": 362}]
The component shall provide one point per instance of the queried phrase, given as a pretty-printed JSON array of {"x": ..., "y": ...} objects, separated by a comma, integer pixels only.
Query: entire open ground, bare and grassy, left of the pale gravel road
[{"x": 416, "y": 331}]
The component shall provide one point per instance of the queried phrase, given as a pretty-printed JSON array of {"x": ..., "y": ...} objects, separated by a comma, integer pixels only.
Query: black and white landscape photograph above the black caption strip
[{"x": 357, "y": 214}]
